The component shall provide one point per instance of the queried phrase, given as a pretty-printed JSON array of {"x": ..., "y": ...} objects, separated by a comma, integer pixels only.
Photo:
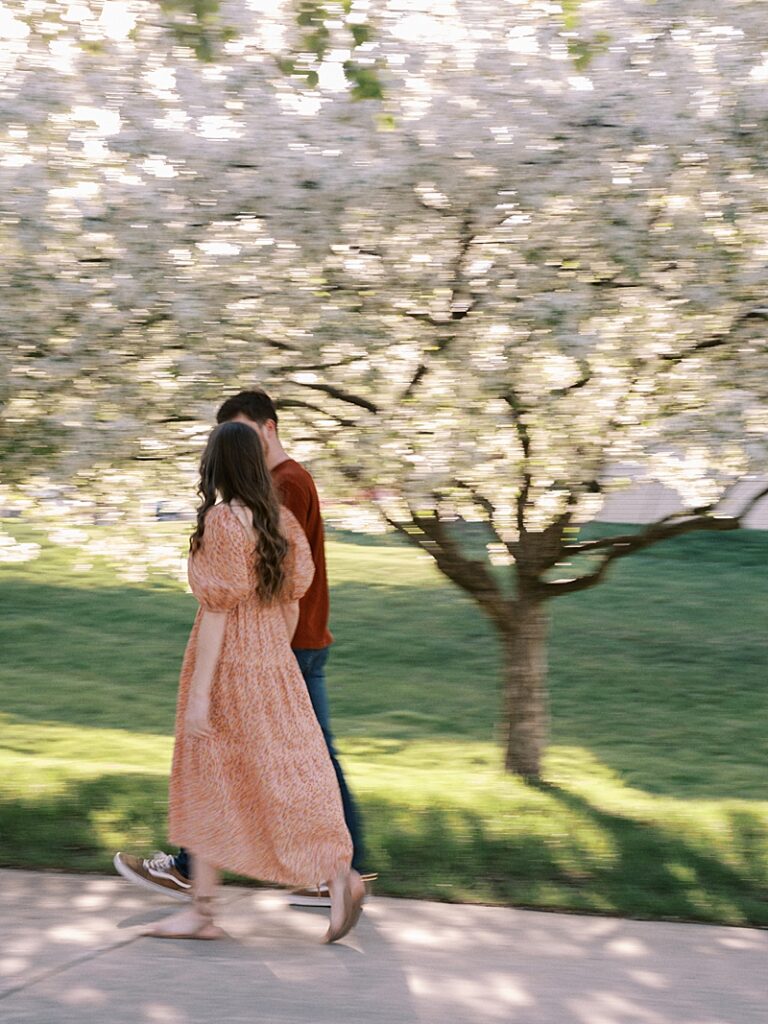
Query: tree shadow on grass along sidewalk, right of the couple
[{"x": 623, "y": 868}]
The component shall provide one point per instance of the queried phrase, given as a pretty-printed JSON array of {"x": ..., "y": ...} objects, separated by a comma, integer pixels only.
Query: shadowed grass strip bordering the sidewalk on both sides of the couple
[{"x": 609, "y": 864}]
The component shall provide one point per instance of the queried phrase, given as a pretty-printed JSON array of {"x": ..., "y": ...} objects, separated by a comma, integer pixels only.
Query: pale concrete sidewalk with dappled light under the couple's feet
[{"x": 70, "y": 955}]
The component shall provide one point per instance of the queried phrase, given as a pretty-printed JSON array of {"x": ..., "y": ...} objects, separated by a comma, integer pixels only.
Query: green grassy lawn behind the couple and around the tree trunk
[{"x": 655, "y": 802}]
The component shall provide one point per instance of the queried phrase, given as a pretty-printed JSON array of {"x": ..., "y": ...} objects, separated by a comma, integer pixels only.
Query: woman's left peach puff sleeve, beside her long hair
[{"x": 221, "y": 572}]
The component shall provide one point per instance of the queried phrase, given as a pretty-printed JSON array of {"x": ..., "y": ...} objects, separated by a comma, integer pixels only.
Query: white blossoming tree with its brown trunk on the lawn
[{"x": 486, "y": 258}]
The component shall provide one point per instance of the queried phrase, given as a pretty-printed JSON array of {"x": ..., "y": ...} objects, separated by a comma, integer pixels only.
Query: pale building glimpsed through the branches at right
[{"x": 649, "y": 501}]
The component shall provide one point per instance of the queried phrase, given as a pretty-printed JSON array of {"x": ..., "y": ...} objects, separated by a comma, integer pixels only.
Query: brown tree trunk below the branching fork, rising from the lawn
[{"x": 526, "y": 706}]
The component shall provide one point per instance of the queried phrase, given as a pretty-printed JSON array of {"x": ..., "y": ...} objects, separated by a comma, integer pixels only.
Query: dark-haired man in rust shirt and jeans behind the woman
[{"x": 172, "y": 875}]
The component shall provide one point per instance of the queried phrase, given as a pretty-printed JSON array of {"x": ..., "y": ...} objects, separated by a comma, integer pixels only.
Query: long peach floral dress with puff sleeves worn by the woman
[{"x": 261, "y": 797}]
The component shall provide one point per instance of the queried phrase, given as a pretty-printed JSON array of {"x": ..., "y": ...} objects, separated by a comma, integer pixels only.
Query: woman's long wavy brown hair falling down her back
[{"x": 234, "y": 466}]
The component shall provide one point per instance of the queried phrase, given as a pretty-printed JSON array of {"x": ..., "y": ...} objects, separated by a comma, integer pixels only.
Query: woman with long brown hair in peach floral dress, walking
[{"x": 252, "y": 789}]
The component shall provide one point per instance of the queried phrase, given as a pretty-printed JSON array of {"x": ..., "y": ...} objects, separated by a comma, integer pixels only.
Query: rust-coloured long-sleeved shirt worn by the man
[{"x": 297, "y": 492}]
